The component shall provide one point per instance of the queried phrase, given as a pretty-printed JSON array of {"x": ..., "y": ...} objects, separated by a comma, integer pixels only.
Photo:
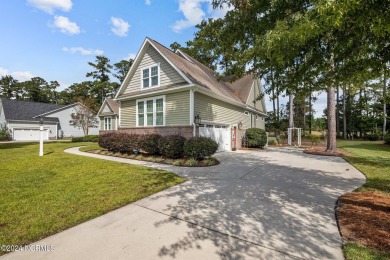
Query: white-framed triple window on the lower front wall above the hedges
[{"x": 151, "y": 111}]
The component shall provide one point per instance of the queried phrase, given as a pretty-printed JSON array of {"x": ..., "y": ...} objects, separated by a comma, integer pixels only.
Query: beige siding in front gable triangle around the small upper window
[{"x": 168, "y": 75}]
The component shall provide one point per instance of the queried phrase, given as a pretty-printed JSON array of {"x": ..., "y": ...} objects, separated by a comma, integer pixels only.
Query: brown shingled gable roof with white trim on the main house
[{"x": 194, "y": 72}]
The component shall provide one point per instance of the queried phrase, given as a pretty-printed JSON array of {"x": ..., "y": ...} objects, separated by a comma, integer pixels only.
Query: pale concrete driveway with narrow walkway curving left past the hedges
[{"x": 275, "y": 204}]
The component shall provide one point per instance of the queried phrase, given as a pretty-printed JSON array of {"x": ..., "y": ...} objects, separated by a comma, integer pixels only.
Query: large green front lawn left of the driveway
[{"x": 40, "y": 196}]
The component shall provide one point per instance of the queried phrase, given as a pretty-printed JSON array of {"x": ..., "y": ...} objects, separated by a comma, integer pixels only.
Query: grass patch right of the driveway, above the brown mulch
[{"x": 373, "y": 160}]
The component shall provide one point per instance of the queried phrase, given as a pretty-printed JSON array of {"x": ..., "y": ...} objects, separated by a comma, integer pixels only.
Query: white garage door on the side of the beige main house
[{"x": 219, "y": 133}]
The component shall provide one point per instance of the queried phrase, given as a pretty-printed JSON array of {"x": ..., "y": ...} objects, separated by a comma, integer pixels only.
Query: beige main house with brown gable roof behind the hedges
[{"x": 164, "y": 91}]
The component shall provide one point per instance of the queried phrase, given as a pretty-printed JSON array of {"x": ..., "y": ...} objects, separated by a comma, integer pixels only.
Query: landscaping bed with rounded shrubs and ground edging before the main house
[{"x": 171, "y": 149}]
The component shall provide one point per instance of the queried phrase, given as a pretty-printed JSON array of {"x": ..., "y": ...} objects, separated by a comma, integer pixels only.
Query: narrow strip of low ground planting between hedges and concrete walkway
[{"x": 185, "y": 162}]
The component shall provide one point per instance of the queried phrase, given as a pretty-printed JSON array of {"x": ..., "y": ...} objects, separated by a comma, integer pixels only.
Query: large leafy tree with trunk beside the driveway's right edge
[{"x": 332, "y": 35}]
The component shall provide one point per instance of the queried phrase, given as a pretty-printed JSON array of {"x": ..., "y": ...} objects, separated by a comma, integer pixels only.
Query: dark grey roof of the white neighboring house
[{"x": 26, "y": 110}]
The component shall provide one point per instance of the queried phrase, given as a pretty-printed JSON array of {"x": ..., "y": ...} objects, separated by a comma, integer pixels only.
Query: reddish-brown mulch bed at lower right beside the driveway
[{"x": 364, "y": 217}]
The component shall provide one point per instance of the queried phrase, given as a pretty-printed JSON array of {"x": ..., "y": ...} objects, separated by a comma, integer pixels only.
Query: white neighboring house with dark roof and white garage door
[{"x": 22, "y": 118}]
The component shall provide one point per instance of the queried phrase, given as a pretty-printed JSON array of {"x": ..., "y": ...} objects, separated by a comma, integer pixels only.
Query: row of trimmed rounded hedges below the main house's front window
[{"x": 171, "y": 146}]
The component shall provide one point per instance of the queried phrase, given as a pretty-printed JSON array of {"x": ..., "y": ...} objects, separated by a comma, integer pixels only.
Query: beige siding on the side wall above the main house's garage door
[{"x": 217, "y": 111}]
